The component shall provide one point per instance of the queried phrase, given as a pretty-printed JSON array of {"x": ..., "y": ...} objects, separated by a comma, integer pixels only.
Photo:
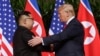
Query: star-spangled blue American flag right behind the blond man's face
[{"x": 56, "y": 25}]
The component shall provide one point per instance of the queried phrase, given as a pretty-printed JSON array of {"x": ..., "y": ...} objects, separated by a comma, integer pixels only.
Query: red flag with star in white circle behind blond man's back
[{"x": 91, "y": 38}]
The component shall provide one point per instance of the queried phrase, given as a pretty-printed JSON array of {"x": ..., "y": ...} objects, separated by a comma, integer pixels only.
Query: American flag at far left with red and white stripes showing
[{"x": 7, "y": 28}]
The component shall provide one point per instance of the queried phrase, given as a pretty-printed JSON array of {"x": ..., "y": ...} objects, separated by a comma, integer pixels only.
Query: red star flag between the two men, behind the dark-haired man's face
[{"x": 38, "y": 27}]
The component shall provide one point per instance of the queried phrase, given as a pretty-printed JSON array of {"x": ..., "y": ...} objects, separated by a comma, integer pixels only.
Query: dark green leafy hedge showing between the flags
[{"x": 47, "y": 7}]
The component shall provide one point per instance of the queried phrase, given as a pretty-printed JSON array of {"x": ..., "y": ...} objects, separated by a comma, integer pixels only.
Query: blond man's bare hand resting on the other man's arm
[{"x": 35, "y": 41}]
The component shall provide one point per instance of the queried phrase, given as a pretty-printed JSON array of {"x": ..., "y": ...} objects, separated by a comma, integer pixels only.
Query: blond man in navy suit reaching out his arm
[{"x": 70, "y": 41}]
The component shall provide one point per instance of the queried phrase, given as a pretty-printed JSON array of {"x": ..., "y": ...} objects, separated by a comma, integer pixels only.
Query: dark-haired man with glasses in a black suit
[{"x": 23, "y": 34}]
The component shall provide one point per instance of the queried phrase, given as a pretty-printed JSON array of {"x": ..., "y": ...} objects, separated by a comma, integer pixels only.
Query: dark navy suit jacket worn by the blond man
[{"x": 70, "y": 41}]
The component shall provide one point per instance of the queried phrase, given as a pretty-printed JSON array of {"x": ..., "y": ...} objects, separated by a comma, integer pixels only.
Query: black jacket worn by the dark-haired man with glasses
[{"x": 20, "y": 43}]
